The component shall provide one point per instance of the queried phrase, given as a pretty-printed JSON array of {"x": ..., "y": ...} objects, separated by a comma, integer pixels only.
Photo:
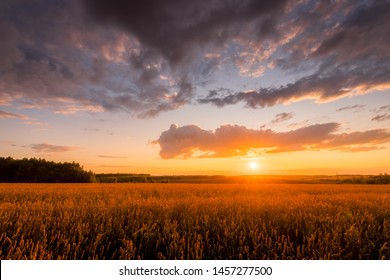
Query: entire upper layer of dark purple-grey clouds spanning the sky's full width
[{"x": 147, "y": 57}]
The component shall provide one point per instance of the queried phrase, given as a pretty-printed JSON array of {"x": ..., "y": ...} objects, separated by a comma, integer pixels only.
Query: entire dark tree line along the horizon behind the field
[{"x": 42, "y": 171}]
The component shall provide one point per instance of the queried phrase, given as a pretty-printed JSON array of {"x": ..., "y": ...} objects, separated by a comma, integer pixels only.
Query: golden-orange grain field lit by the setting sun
[{"x": 194, "y": 221}]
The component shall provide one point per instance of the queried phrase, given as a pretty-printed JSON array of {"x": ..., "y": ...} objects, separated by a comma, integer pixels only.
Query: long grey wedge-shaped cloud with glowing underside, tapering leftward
[{"x": 320, "y": 86}]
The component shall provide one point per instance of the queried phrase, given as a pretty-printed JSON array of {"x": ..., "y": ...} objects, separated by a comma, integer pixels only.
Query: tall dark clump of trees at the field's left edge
[{"x": 42, "y": 171}]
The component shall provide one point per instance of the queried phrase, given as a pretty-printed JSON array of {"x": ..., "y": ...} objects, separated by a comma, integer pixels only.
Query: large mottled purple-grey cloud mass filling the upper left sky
[{"x": 54, "y": 57}]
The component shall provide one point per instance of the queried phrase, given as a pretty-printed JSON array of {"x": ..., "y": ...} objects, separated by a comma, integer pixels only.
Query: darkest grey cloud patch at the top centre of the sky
[{"x": 175, "y": 28}]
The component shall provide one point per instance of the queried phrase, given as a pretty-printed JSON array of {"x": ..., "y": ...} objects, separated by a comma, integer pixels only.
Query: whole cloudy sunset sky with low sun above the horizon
[{"x": 197, "y": 86}]
